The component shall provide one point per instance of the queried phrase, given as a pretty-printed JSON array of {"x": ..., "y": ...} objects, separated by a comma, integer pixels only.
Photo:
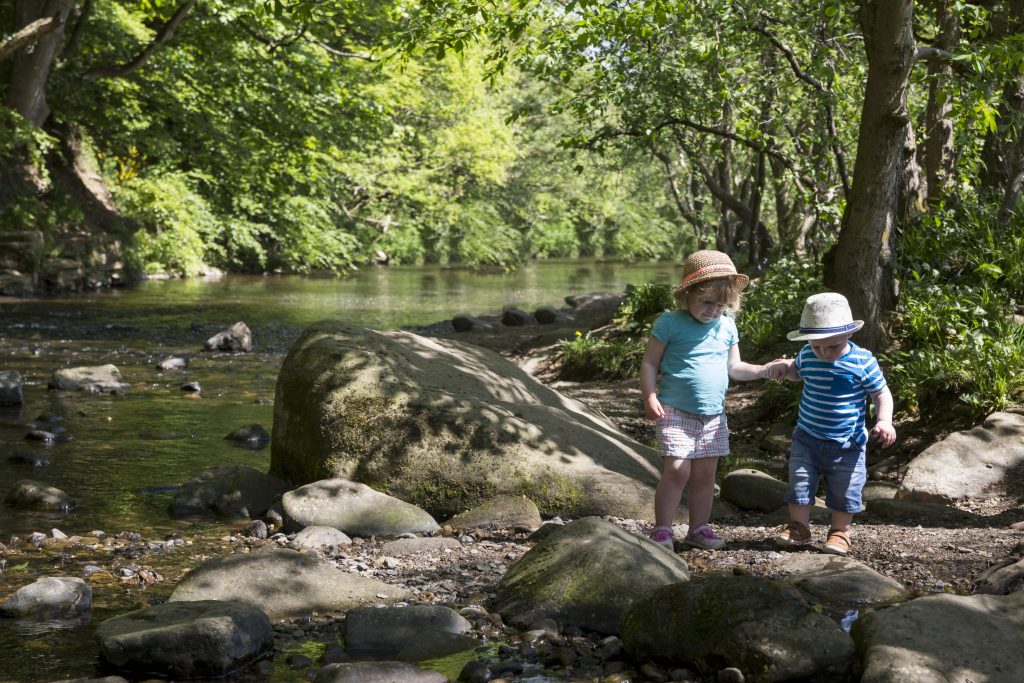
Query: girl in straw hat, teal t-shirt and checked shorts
[{"x": 696, "y": 349}]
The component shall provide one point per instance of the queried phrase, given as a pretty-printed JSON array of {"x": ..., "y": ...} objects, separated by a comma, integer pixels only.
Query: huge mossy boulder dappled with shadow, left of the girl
[{"x": 445, "y": 425}]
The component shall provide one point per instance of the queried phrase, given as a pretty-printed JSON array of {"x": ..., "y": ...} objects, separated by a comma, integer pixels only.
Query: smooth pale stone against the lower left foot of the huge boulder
[{"x": 353, "y": 508}]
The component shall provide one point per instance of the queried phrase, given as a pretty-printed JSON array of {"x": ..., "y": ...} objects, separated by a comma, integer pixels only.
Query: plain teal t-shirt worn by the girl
[{"x": 696, "y": 364}]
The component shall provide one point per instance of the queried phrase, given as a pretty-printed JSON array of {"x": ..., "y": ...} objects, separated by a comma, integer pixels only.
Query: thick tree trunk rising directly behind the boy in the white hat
[{"x": 861, "y": 264}]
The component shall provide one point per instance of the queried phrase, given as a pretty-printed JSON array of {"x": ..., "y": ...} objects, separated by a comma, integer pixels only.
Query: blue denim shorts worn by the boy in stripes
[{"x": 843, "y": 466}]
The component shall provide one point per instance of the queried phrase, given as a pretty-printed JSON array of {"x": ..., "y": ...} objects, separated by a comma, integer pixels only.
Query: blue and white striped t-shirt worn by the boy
[{"x": 834, "y": 403}]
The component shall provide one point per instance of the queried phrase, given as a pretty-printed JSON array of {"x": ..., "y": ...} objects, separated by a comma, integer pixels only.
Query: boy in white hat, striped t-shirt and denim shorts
[{"x": 831, "y": 438}]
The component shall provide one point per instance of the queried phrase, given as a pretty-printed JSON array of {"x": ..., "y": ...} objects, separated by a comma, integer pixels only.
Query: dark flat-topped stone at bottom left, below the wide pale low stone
[{"x": 198, "y": 639}]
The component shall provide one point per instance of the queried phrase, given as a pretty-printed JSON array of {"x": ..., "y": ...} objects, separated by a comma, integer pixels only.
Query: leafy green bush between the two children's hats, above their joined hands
[{"x": 774, "y": 303}]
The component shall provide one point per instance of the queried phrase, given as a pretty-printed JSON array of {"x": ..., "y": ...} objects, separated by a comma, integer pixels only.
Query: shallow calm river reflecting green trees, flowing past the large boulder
[{"x": 122, "y": 456}]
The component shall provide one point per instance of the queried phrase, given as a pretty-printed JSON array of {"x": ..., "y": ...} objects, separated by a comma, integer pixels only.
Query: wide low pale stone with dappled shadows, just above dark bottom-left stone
[{"x": 283, "y": 584}]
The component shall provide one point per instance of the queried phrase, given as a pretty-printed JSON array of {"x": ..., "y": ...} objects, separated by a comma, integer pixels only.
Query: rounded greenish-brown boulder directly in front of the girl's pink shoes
[{"x": 585, "y": 575}]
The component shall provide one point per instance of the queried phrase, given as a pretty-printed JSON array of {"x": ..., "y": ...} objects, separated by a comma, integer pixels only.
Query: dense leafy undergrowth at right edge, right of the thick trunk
[{"x": 958, "y": 340}]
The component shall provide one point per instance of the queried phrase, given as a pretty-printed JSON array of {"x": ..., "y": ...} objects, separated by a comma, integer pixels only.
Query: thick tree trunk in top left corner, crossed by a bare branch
[{"x": 27, "y": 92}]
